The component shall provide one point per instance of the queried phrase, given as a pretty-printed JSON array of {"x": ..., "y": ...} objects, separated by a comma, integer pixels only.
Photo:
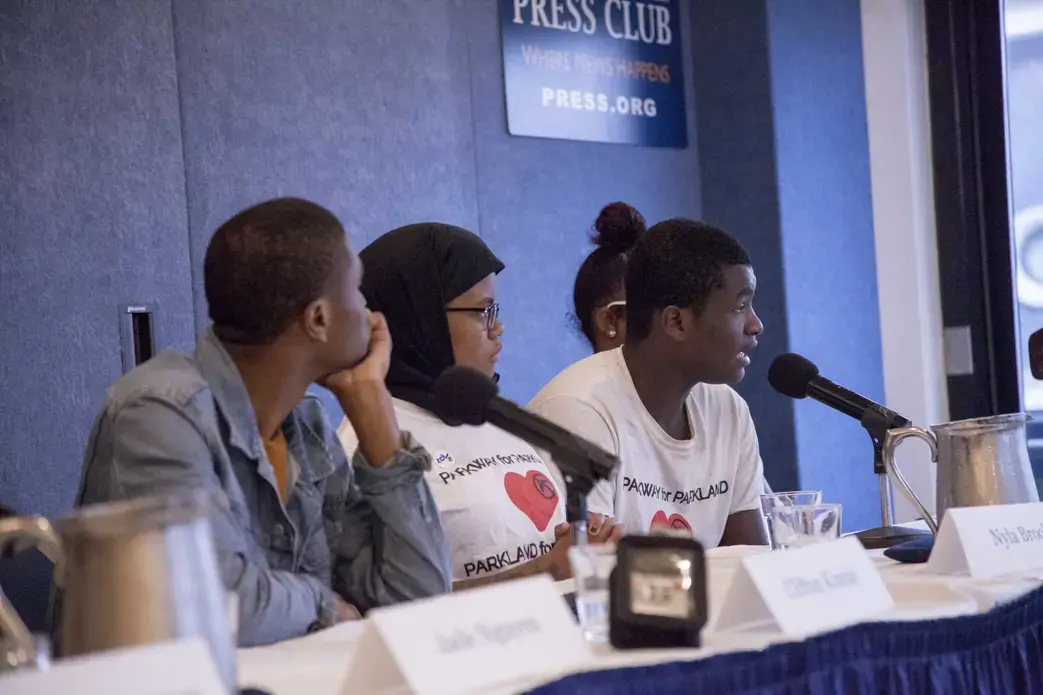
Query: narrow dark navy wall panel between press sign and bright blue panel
[{"x": 740, "y": 188}]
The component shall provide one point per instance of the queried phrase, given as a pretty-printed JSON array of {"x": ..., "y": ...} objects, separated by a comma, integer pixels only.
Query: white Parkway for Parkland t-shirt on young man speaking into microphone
[{"x": 692, "y": 485}]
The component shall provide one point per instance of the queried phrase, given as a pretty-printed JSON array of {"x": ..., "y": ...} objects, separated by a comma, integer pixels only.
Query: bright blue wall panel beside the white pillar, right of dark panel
[{"x": 827, "y": 215}]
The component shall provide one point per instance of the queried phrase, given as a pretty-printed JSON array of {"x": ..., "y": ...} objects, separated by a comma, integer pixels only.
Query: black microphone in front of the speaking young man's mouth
[{"x": 798, "y": 377}]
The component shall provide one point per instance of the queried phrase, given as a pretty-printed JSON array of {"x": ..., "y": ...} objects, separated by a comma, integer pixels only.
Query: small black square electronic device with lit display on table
[{"x": 658, "y": 593}]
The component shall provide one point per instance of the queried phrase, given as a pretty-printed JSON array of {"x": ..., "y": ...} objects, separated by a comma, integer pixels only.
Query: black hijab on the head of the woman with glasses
[{"x": 410, "y": 276}]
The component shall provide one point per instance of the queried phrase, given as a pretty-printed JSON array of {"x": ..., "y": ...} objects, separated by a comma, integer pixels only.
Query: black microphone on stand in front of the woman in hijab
[{"x": 467, "y": 397}]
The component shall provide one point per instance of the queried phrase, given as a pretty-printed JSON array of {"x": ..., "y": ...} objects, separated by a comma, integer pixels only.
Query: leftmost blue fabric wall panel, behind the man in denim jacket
[{"x": 92, "y": 215}]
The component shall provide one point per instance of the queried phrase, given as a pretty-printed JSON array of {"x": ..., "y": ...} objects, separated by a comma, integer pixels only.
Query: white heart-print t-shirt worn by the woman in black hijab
[{"x": 499, "y": 500}]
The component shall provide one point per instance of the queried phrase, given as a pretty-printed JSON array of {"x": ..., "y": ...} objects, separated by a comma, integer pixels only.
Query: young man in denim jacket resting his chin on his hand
[{"x": 301, "y": 535}]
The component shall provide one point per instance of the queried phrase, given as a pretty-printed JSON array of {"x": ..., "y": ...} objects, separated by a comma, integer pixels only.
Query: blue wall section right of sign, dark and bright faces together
[{"x": 785, "y": 165}]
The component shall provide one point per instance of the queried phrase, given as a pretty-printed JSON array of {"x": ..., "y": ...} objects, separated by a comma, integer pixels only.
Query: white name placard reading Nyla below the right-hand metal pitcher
[{"x": 989, "y": 542}]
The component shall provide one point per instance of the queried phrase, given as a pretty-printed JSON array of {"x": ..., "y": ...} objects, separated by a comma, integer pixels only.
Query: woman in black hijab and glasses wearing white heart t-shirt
[{"x": 501, "y": 505}]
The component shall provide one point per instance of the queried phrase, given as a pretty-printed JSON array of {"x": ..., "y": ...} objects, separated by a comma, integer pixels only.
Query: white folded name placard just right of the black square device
[{"x": 806, "y": 591}]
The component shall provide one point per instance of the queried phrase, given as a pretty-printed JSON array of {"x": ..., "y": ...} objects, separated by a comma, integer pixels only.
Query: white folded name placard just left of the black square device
[{"x": 468, "y": 641}]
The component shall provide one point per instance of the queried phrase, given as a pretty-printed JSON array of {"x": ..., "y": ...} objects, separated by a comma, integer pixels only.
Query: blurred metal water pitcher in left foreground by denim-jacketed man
[{"x": 129, "y": 574}]
